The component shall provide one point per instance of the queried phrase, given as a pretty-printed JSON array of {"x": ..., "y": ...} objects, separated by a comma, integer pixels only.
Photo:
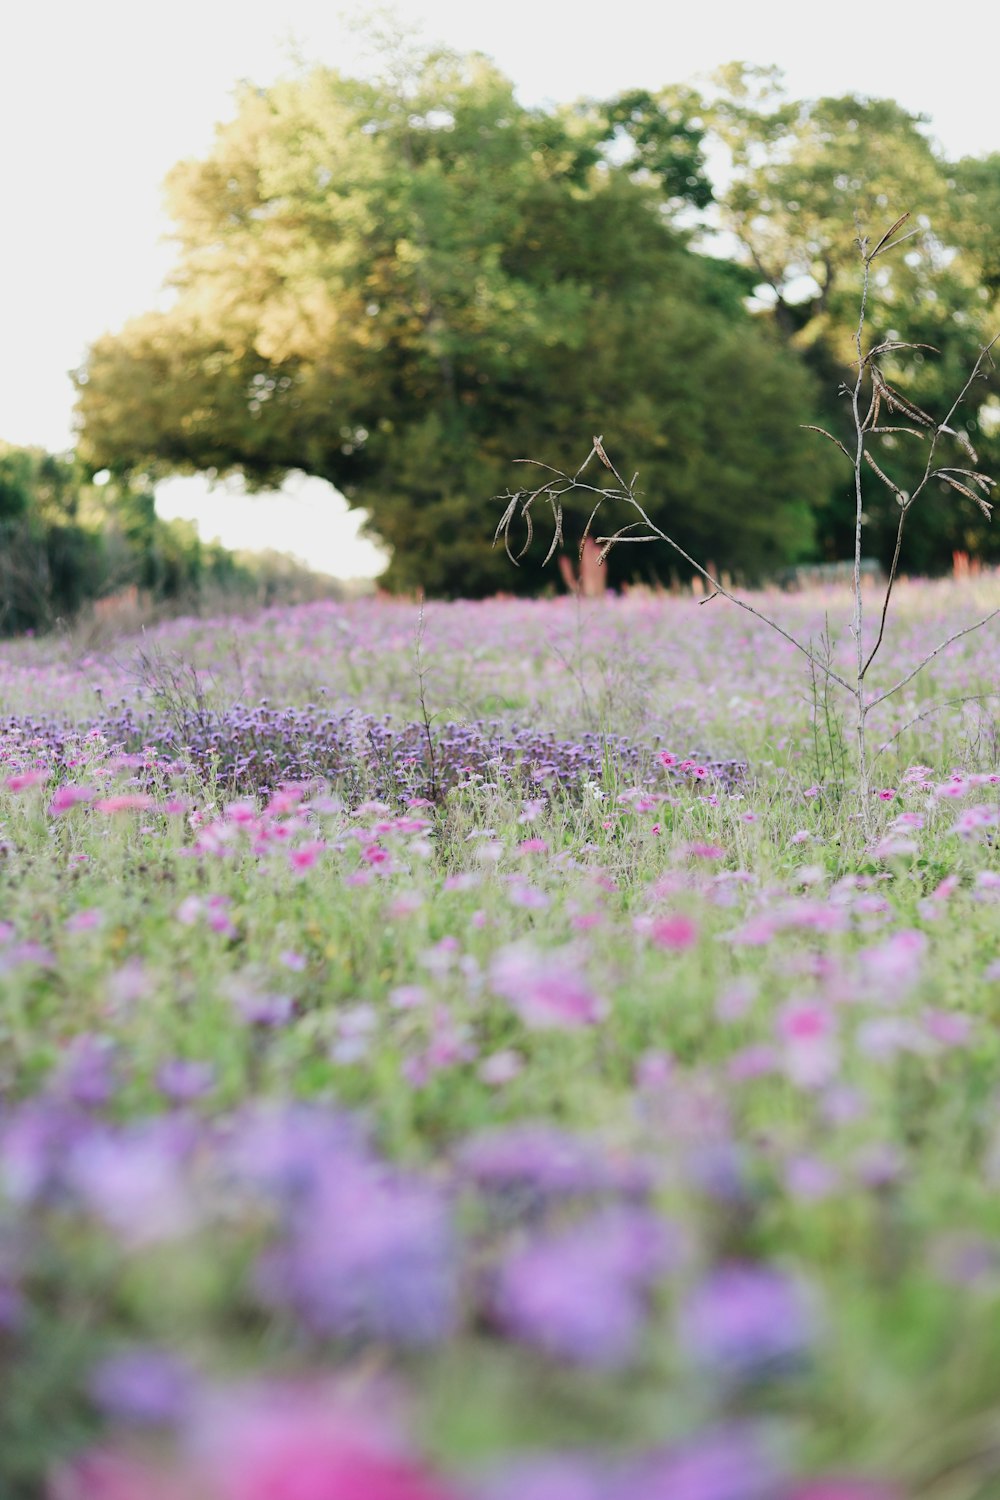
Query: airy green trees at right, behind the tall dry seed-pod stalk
[{"x": 801, "y": 172}]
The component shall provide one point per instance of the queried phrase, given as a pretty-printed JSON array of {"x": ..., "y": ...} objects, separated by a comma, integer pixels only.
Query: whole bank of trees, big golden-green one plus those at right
[{"x": 403, "y": 284}]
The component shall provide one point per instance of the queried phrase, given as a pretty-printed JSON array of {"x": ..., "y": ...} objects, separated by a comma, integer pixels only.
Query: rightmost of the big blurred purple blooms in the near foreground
[{"x": 747, "y": 1321}]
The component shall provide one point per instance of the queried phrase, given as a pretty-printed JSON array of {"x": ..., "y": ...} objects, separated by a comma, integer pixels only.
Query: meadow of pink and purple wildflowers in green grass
[{"x": 476, "y": 1054}]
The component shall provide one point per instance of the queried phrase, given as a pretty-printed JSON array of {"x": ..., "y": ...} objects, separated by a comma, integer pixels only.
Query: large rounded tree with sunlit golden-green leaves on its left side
[{"x": 404, "y": 286}]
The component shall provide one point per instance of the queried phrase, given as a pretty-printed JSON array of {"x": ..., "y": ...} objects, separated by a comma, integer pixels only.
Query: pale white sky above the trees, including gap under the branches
[{"x": 100, "y": 98}]
